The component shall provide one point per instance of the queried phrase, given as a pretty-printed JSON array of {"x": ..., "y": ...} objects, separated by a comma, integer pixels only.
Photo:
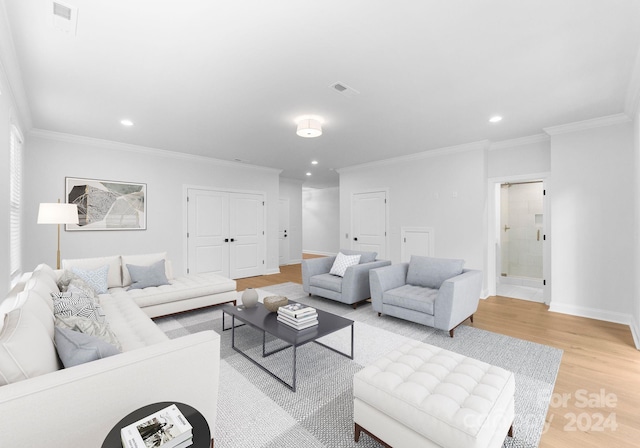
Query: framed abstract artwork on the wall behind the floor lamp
[{"x": 106, "y": 204}]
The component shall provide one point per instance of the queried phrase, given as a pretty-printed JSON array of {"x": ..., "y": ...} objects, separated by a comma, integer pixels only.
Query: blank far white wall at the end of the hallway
[{"x": 321, "y": 221}]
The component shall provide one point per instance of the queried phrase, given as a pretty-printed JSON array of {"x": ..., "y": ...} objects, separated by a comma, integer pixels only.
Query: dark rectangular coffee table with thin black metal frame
[{"x": 260, "y": 318}]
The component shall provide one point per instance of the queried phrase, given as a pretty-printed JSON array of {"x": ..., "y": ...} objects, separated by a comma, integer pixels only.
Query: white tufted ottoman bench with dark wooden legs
[{"x": 424, "y": 396}]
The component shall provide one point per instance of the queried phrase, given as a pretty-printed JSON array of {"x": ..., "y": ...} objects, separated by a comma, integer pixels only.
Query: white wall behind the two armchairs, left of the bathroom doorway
[{"x": 444, "y": 190}]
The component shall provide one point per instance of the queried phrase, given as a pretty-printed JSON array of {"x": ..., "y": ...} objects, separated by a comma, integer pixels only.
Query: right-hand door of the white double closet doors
[{"x": 246, "y": 230}]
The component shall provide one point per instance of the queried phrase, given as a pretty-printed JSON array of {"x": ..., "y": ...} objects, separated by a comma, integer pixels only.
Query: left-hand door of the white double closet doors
[{"x": 208, "y": 226}]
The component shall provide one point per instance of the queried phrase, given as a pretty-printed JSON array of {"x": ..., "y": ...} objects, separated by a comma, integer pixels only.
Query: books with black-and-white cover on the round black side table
[{"x": 167, "y": 428}]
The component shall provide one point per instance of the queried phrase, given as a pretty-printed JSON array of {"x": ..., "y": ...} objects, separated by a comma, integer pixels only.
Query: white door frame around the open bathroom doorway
[{"x": 493, "y": 228}]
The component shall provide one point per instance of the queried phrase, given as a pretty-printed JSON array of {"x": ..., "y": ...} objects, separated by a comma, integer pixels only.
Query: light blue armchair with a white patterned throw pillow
[{"x": 351, "y": 289}]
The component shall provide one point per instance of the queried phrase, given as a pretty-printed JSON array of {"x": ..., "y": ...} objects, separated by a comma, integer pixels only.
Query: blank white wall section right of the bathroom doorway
[{"x": 592, "y": 209}]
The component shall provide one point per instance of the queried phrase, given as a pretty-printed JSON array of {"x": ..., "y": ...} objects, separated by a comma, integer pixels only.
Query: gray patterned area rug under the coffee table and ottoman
[{"x": 255, "y": 410}]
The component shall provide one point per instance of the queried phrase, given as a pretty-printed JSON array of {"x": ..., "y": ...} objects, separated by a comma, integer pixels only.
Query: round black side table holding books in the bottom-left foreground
[{"x": 201, "y": 433}]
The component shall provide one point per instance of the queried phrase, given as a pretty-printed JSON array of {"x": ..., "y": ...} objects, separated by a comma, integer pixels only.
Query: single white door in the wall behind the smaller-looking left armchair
[{"x": 370, "y": 222}]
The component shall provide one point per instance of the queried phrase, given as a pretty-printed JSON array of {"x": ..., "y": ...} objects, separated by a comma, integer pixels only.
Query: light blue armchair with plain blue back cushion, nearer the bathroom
[{"x": 436, "y": 292}]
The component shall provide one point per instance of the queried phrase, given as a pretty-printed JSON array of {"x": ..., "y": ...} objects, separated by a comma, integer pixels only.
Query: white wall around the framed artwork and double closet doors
[{"x": 52, "y": 157}]
